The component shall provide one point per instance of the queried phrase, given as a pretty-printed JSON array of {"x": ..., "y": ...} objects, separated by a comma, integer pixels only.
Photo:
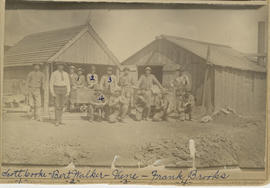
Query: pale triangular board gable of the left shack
[{"x": 86, "y": 50}]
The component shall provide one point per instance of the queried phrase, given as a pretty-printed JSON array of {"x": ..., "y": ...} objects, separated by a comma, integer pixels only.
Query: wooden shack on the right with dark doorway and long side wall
[{"x": 221, "y": 76}]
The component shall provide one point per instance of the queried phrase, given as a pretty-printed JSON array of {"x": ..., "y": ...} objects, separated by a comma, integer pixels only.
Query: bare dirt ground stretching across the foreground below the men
[{"x": 227, "y": 141}]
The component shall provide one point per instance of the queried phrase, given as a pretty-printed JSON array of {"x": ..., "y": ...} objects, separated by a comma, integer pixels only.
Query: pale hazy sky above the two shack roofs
[{"x": 125, "y": 31}]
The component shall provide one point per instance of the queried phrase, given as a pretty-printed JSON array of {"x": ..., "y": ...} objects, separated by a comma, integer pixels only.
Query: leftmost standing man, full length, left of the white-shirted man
[{"x": 35, "y": 83}]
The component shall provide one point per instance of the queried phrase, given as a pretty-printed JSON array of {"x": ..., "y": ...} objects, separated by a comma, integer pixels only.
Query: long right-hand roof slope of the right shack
[{"x": 221, "y": 55}]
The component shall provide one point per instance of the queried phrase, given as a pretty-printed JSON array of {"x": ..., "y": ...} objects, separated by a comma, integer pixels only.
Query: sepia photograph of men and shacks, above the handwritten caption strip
[{"x": 172, "y": 88}]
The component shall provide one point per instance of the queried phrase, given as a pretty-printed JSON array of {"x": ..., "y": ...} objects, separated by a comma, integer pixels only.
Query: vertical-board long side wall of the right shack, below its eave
[{"x": 243, "y": 91}]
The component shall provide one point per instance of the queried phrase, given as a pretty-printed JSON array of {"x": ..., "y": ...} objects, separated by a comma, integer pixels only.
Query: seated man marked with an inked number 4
[{"x": 96, "y": 106}]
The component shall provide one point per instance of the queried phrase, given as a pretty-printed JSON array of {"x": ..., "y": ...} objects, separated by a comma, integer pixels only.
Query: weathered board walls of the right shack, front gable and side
[{"x": 244, "y": 91}]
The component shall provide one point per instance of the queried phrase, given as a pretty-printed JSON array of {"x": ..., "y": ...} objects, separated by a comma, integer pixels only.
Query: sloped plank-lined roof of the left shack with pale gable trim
[{"x": 43, "y": 47}]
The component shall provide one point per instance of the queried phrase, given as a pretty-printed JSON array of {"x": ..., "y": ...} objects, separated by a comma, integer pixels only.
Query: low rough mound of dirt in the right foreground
[{"x": 211, "y": 151}]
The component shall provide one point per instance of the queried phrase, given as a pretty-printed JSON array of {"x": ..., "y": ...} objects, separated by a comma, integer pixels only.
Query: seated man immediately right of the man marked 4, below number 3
[{"x": 118, "y": 107}]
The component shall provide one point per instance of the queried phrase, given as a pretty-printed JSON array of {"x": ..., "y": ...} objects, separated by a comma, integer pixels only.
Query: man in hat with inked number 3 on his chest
[{"x": 108, "y": 82}]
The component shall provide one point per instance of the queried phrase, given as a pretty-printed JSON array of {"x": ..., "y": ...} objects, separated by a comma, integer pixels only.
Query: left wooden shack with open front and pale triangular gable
[{"x": 80, "y": 46}]
